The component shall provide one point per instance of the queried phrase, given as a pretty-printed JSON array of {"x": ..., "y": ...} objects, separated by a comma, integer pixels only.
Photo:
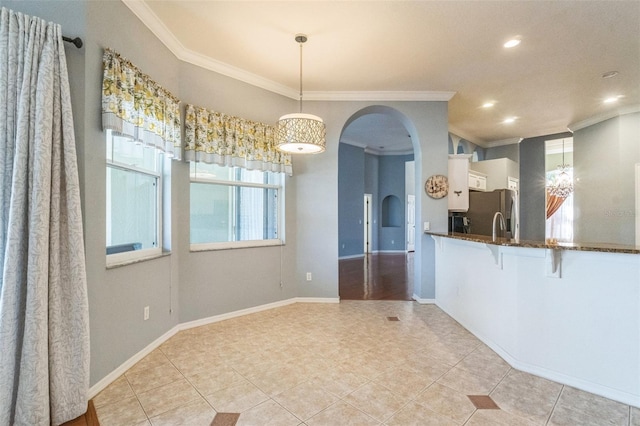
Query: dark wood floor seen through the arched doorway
[{"x": 377, "y": 277}]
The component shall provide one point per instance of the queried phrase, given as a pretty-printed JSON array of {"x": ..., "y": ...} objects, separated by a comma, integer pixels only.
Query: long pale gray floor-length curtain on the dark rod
[{"x": 44, "y": 327}]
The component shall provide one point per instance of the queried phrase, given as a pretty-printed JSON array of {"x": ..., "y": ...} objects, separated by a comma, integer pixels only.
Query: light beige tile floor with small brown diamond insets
[{"x": 342, "y": 364}]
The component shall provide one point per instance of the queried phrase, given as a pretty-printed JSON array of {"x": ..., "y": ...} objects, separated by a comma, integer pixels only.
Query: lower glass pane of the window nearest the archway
[{"x": 221, "y": 213}]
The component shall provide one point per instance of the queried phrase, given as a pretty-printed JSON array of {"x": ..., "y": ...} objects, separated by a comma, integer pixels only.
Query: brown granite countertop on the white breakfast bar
[{"x": 601, "y": 247}]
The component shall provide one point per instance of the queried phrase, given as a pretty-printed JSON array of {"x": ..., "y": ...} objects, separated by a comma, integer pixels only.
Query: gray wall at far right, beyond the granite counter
[{"x": 604, "y": 158}]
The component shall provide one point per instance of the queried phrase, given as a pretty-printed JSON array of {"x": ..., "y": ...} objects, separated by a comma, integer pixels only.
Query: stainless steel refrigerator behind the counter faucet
[{"x": 483, "y": 207}]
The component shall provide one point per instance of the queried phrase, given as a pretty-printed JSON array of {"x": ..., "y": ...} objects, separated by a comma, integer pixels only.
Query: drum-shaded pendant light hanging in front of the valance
[{"x": 300, "y": 133}]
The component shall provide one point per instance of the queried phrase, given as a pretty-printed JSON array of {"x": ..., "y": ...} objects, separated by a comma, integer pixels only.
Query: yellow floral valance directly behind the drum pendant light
[{"x": 216, "y": 138}]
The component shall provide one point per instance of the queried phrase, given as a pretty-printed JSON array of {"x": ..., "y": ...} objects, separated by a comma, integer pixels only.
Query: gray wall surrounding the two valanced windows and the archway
[{"x": 186, "y": 286}]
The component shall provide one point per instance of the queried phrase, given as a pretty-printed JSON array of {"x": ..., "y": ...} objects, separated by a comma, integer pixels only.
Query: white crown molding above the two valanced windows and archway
[{"x": 160, "y": 30}]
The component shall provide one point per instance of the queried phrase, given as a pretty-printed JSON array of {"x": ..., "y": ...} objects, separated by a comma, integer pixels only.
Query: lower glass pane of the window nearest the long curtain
[{"x": 132, "y": 202}]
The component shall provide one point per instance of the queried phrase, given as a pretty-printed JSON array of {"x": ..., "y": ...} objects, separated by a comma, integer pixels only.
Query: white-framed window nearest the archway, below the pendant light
[{"x": 234, "y": 207}]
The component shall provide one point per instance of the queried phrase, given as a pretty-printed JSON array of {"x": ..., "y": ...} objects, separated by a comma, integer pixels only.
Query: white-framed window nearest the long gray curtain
[{"x": 134, "y": 200}]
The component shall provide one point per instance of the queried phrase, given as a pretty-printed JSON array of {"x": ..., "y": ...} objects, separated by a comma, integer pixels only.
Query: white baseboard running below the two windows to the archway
[{"x": 109, "y": 378}]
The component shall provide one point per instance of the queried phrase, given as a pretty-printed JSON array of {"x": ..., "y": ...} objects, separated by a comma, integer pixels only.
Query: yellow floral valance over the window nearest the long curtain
[{"x": 135, "y": 106}]
